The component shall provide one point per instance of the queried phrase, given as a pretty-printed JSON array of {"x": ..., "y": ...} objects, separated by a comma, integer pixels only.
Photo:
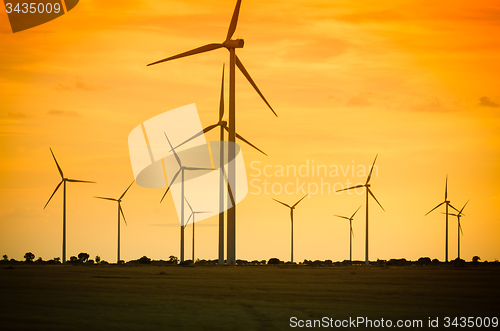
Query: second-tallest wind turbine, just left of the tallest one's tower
[{"x": 223, "y": 126}]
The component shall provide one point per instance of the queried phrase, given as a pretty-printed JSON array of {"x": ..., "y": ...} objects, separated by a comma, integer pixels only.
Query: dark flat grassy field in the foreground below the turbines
[{"x": 235, "y": 298}]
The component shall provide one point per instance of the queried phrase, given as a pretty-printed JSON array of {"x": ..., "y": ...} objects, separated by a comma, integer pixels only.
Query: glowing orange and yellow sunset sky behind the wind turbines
[{"x": 415, "y": 81}]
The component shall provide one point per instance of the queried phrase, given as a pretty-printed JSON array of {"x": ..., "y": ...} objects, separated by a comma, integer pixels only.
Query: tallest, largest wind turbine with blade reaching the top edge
[{"x": 234, "y": 61}]
